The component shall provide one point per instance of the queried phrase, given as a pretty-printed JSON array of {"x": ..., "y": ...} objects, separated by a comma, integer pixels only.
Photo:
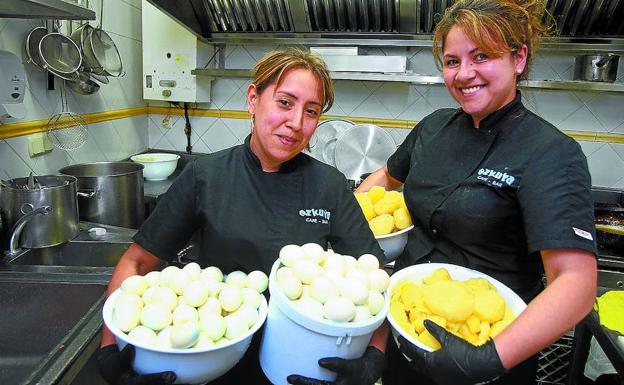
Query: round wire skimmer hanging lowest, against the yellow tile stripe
[{"x": 67, "y": 130}]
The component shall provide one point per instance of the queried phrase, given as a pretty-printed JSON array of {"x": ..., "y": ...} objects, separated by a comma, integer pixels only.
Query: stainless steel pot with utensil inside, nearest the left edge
[{"x": 48, "y": 211}]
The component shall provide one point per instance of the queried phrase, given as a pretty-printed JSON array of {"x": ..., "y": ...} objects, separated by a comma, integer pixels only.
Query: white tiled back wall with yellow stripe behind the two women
[{"x": 568, "y": 110}]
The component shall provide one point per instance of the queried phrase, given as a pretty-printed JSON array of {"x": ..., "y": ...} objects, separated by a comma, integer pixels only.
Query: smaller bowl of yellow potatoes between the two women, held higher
[{"x": 388, "y": 218}]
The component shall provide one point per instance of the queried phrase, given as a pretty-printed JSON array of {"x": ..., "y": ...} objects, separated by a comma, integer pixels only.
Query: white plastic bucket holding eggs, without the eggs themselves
[{"x": 293, "y": 342}]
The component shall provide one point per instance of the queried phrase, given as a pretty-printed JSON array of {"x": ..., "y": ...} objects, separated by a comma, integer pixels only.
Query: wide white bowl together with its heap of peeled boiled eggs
[{"x": 180, "y": 319}]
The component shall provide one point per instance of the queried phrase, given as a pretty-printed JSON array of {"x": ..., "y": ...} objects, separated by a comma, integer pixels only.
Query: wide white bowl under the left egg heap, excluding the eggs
[{"x": 193, "y": 365}]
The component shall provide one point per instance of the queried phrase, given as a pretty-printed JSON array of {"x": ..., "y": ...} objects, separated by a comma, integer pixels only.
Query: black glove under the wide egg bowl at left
[{"x": 115, "y": 367}]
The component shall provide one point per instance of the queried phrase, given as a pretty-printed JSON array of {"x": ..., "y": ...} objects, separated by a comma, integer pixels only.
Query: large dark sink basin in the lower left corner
[{"x": 36, "y": 320}]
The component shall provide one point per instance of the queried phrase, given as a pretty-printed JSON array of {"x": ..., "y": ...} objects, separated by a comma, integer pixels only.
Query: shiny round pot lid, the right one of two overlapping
[{"x": 362, "y": 149}]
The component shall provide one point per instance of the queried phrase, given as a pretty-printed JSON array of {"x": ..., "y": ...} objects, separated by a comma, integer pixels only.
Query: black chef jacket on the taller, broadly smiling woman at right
[{"x": 490, "y": 198}]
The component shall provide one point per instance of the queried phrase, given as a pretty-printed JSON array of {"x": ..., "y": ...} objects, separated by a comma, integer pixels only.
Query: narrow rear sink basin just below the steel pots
[{"x": 102, "y": 254}]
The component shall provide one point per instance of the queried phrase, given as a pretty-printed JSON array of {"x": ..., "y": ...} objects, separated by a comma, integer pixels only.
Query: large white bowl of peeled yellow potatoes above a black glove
[{"x": 467, "y": 303}]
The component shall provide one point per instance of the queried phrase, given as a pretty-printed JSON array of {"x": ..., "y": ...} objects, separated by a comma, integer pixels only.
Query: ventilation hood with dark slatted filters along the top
[{"x": 384, "y": 19}]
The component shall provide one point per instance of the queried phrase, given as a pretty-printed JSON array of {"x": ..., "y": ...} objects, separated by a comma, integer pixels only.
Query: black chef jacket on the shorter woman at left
[{"x": 246, "y": 215}]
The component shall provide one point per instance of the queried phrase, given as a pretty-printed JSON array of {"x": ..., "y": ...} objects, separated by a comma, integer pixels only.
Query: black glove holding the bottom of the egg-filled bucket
[{"x": 359, "y": 371}]
